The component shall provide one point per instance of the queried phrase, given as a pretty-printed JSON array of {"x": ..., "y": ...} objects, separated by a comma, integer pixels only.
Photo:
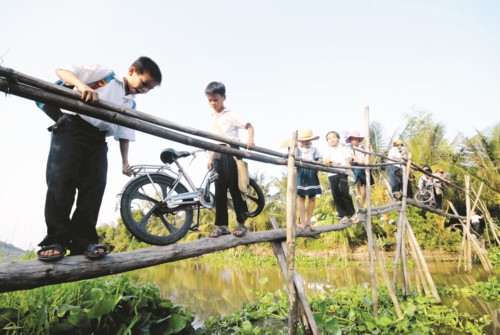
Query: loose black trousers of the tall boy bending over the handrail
[{"x": 76, "y": 168}]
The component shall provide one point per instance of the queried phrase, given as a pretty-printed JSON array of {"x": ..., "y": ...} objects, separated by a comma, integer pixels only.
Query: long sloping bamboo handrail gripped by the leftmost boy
[{"x": 11, "y": 83}]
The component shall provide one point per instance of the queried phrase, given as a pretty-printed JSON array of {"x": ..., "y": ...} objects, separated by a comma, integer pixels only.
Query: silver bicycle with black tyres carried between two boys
[{"x": 157, "y": 208}]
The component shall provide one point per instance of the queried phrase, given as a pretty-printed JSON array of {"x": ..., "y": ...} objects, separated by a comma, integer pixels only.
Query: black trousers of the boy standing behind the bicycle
[{"x": 225, "y": 166}]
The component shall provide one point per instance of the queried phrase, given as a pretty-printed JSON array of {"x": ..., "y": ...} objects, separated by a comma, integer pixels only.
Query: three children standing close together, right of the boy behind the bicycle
[{"x": 308, "y": 185}]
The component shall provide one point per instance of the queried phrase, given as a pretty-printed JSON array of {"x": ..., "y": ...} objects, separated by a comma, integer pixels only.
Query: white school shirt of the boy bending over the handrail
[{"x": 113, "y": 92}]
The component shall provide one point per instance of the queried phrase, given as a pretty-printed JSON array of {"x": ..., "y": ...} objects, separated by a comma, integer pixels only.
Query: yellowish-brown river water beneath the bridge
[{"x": 211, "y": 290}]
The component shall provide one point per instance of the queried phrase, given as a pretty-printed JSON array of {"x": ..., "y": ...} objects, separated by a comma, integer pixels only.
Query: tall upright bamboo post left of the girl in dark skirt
[{"x": 291, "y": 229}]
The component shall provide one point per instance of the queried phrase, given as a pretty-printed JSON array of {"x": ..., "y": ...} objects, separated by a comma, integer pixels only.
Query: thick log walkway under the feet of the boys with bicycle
[{"x": 34, "y": 273}]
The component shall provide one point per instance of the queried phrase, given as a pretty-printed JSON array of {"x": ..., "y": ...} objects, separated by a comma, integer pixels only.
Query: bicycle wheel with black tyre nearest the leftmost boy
[{"x": 147, "y": 217}]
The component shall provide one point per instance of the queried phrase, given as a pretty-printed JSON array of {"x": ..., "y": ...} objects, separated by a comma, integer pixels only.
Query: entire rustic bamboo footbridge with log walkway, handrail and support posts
[{"x": 33, "y": 273}]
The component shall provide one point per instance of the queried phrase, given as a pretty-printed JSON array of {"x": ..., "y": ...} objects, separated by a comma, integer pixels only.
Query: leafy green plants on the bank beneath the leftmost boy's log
[{"x": 111, "y": 305}]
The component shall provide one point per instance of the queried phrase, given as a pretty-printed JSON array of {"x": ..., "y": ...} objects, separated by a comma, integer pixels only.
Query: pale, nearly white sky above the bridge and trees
[{"x": 286, "y": 65}]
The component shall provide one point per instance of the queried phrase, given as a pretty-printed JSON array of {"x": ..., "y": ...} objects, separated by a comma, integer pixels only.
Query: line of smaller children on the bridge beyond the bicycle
[{"x": 345, "y": 158}]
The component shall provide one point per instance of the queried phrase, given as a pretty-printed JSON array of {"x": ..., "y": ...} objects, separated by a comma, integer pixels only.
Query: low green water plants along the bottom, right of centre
[{"x": 349, "y": 311}]
